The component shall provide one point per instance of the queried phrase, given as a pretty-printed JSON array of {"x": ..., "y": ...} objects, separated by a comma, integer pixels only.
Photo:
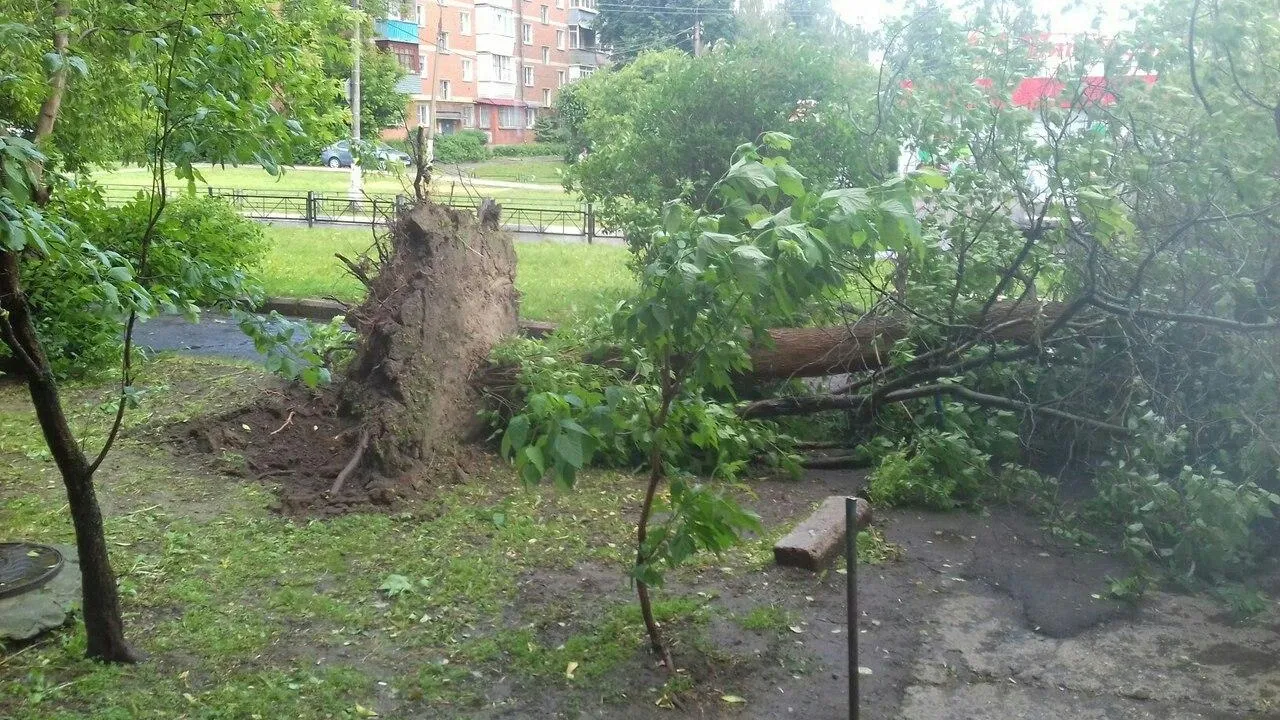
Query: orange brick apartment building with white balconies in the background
[{"x": 499, "y": 65}]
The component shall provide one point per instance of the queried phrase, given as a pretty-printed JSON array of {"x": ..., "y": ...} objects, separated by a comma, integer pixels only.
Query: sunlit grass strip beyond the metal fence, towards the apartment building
[{"x": 303, "y": 180}]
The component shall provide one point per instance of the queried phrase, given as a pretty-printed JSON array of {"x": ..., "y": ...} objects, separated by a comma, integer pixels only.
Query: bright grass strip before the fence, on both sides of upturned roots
[{"x": 556, "y": 281}]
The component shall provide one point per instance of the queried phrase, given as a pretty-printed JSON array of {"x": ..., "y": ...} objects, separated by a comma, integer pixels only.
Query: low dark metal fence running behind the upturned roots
[{"x": 372, "y": 209}]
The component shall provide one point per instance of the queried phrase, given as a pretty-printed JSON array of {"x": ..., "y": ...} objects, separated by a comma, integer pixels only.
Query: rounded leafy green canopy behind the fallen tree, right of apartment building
[{"x": 651, "y": 134}]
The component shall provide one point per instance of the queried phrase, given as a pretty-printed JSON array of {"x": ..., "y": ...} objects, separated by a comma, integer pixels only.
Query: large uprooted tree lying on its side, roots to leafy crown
[{"x": 1072, "y": 276}]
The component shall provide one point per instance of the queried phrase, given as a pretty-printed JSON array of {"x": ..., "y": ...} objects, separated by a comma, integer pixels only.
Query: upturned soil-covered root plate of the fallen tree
[{"x": 440, "y": 303}]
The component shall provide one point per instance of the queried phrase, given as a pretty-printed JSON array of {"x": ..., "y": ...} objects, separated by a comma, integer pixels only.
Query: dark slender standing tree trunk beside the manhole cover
[{"x": 102, "y": 604}]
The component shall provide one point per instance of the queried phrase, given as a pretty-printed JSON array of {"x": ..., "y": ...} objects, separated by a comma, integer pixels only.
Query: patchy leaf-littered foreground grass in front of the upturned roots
[{"x": 487, "y": 599}]
